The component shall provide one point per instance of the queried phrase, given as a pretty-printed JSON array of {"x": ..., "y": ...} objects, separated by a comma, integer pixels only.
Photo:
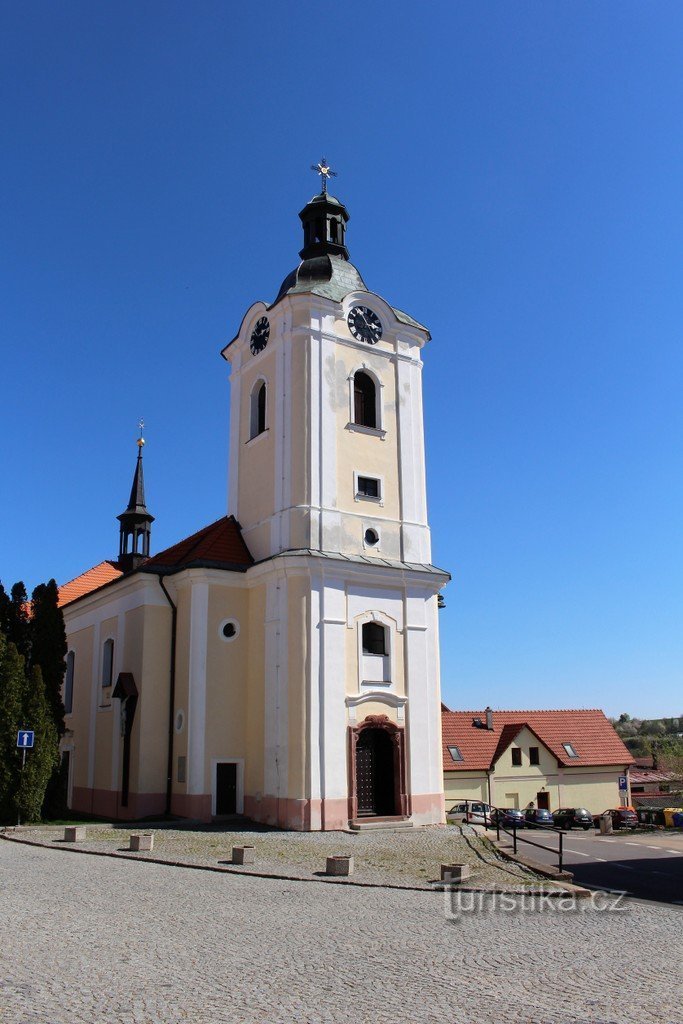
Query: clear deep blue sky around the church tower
[{"x": 515, "y": 178}]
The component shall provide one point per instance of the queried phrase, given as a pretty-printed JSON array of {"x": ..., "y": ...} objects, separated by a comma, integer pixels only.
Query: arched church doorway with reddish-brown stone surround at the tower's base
[{"x": 377, "y": 770}]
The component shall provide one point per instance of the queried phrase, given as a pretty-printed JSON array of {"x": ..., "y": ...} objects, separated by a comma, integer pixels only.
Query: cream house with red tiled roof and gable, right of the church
[{"x": 548, "y": 759}]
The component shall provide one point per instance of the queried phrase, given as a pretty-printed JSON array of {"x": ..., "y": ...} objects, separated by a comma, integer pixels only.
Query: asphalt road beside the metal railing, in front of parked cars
[{"x": 649, "y": 867}]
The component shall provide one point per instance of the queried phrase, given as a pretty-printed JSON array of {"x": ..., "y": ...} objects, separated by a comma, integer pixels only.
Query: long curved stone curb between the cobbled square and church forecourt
[{"x": 225, "y": 870}]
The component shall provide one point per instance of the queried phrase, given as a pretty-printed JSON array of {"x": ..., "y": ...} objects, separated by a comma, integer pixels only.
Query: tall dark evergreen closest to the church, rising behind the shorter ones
[{"x": 49, "y": 647}]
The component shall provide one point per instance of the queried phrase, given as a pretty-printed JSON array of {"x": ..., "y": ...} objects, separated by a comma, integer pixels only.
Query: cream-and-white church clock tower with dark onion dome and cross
[{"x": 327, "y": 481}]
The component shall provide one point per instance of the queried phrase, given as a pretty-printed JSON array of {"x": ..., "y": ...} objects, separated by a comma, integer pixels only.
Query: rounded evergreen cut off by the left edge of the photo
[{"x": 13, "y": 684}]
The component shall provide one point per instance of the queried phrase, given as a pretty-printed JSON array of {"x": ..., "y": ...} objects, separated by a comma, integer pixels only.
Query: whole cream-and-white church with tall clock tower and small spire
[{"x": 282, "y": 663}]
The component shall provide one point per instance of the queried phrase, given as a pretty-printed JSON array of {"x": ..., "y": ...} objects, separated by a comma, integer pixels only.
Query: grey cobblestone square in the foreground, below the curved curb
[{"x": 92, "y": 940}]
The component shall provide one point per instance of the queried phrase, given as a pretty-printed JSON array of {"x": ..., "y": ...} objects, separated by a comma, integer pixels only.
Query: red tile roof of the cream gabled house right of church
[{"x": 590, "y": 734}]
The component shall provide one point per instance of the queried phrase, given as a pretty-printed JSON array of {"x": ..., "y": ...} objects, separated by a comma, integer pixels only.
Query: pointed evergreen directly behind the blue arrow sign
[{"x": 45, "y": 758}]
